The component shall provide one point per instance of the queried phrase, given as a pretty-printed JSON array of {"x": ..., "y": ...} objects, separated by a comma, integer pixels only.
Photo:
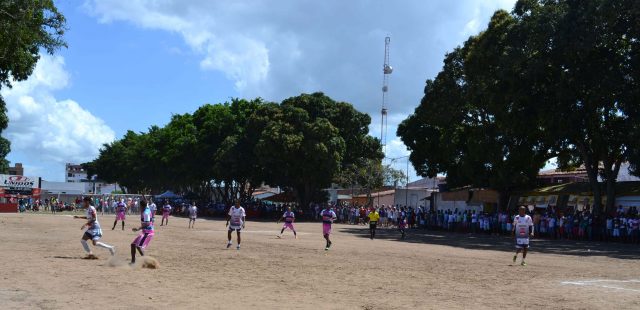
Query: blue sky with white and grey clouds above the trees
[{"x": 131, "y": 64}]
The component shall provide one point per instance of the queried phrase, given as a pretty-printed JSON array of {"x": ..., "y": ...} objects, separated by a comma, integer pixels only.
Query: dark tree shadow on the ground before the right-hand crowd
[{"x": 502, "y": 243}]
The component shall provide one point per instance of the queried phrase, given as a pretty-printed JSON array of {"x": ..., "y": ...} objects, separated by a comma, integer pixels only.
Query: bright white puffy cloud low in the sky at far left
[{"x": 47, "y": 131}]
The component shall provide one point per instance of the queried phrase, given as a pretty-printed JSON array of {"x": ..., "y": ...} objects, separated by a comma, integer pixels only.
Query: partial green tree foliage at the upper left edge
[{"x": 27, "y": 27}]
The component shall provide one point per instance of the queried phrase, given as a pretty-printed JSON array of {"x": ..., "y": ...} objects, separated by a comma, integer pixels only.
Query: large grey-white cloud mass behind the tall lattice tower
[{"x": 277, "y": 49}]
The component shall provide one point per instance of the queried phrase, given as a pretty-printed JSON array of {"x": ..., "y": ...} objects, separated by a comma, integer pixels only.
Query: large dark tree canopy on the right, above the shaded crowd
[{"x": 551, "y": 79}]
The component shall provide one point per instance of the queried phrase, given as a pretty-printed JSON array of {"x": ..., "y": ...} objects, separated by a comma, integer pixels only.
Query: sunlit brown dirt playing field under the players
[{"x": 43, "y": 269}]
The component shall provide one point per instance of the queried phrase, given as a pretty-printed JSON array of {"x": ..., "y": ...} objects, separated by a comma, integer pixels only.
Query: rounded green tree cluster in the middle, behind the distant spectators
[{"x": 228, "y": 149}]
